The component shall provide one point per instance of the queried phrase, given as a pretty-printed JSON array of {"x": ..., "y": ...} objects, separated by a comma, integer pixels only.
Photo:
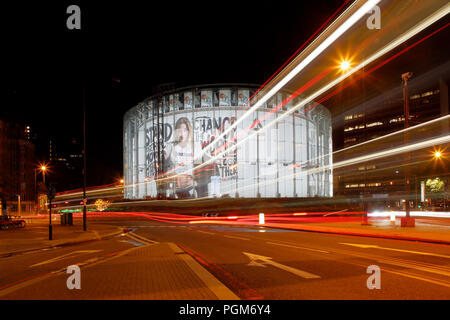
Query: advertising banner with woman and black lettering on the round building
[{"x": 190, "y": 166}]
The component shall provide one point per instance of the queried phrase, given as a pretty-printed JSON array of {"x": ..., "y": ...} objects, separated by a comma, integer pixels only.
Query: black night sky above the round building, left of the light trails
[{"x": 183, "y": 43}]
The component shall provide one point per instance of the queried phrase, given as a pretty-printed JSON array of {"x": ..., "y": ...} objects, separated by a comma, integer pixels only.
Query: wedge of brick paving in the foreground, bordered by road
[{"x": 151, "y": 272}]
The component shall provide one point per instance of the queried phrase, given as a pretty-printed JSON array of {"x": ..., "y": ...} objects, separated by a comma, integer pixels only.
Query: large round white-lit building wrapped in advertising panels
[{"x": 184, "y": 144}]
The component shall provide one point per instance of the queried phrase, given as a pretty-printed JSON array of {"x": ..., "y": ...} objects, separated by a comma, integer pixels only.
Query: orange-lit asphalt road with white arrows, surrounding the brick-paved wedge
[{"x": 264, "y": 263}]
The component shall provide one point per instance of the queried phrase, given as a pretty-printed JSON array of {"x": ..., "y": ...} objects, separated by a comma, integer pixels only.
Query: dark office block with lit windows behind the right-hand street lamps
[{"x": 383, "y": 180}]
